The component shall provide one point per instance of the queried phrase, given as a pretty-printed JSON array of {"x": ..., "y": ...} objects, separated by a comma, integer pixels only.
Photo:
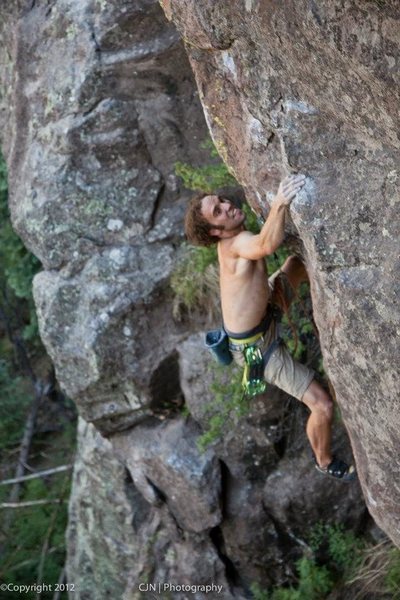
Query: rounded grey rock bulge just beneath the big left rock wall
[{"x": 166, "y": 466}]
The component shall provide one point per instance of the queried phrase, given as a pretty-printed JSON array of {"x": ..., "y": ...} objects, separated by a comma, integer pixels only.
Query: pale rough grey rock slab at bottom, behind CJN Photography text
[{"x": 120, "y": 545}]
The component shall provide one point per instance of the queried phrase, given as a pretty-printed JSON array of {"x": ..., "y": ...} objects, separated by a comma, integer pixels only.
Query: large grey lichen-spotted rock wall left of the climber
[{"x": 94, "y": 131}]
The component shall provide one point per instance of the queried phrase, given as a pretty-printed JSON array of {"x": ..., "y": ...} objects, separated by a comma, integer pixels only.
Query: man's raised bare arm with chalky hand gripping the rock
[{"x": 253, "y": 247}]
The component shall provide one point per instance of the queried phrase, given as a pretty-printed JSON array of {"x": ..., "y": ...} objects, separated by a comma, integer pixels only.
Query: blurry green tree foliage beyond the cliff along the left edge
[{"x": 23, "y": 541}]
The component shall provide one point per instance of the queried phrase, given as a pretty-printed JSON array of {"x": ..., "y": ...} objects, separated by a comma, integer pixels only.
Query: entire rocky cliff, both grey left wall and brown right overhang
[{"x": 97, "y": 102}]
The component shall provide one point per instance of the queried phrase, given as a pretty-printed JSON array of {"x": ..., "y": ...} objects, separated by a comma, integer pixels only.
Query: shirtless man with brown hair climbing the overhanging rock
[{"x": 247, "y": 295}]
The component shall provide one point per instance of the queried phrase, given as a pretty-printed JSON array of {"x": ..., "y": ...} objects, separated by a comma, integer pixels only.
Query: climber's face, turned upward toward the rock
[{"x": 220, "y": 212}]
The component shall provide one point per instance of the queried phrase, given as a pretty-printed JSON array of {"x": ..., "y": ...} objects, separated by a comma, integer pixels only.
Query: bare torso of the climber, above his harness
[{"x": 244, "y": 289}]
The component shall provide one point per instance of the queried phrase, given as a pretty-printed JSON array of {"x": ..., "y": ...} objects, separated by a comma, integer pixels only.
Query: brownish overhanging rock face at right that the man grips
[{"x": 314, "y": 88}]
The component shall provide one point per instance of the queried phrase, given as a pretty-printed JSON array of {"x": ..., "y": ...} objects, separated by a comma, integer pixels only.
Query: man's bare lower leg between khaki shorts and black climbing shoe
[{"x": 319, "y": 424}]
